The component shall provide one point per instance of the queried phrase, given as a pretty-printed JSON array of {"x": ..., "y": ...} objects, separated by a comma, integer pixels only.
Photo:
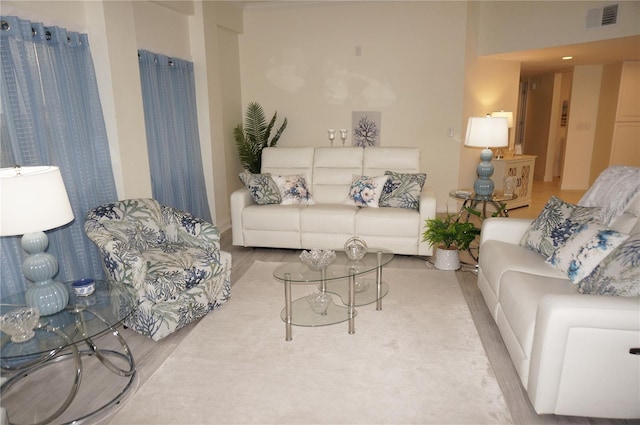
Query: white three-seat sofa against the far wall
[{"x": 330, "y": 223}]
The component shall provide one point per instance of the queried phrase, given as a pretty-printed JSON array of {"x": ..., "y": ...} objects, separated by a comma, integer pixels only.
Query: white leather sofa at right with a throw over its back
[{"x": 571, "y": 350}]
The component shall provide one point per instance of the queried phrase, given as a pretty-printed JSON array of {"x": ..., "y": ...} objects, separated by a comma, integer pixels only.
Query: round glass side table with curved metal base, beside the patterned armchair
[{"x": 58, "y": 337}]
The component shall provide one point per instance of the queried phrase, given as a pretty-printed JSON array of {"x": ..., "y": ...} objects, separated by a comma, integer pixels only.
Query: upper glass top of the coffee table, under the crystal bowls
[{"x": 299, "y": 272}]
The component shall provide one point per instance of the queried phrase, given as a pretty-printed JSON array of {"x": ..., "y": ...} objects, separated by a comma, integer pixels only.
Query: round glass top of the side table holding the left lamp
[{"x": 84, "y": 317}]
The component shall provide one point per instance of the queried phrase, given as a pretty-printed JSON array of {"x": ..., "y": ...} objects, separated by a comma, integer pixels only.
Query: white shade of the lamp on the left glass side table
[{"x": 32, "y": 199}]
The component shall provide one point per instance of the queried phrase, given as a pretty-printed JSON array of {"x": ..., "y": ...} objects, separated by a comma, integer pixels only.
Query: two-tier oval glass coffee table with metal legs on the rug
[{"x": 343, "y": 278}]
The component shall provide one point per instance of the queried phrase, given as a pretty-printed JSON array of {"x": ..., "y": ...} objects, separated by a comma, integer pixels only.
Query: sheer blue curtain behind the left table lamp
[{"x": 51, "y": 115}]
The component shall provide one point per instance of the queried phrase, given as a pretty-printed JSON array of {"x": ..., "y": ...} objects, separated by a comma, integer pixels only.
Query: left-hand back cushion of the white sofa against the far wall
[{"x": 288, "y": 161}]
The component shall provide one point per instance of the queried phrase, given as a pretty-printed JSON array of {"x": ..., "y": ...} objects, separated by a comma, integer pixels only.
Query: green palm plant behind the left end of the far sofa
[{"x": 254, "y": 136}]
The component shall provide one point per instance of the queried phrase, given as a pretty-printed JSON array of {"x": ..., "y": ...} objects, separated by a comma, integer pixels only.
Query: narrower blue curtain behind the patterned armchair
[{"x": 168, "y": 94}]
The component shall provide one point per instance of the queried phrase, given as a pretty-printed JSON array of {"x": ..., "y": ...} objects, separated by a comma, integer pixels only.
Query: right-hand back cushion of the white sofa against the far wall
[{"x": 398, "y": 159}]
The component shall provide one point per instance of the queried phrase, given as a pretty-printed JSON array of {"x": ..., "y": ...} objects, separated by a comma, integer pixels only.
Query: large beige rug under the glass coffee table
[{"x": 418, "y": 361}]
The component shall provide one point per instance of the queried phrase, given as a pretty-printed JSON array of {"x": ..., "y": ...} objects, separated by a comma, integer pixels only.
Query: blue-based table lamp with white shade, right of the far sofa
[{"x": 486, "y": 132}]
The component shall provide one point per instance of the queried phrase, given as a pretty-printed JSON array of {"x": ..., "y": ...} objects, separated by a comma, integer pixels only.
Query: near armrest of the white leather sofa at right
[{"x": 584, "y": 341}]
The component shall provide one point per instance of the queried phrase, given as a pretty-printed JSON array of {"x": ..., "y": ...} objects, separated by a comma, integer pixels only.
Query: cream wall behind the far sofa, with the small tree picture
[{"x": 302, "y": 60}]
